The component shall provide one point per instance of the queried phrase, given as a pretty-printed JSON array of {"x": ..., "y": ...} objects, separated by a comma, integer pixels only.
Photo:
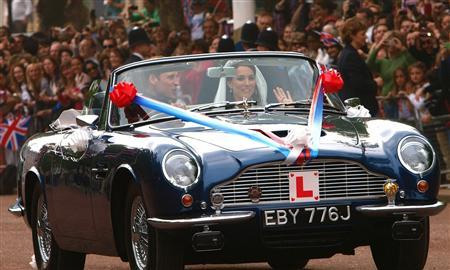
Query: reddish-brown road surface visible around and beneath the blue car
[{"x": 16, "y": 249}]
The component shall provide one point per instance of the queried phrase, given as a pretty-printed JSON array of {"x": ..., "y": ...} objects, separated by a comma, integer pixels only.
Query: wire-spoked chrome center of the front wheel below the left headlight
[{"x": 139, "y": 233}]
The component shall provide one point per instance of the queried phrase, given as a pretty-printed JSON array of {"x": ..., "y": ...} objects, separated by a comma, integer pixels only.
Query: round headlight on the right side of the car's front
[{"x": 416, "y": 154}]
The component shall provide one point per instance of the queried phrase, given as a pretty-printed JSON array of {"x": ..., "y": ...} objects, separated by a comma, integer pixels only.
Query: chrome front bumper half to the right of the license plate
[{"x": 387, "y": 210}]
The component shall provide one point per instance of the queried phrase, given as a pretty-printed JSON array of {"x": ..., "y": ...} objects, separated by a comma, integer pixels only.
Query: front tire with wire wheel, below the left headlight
[{"x": 148, "y": 248}]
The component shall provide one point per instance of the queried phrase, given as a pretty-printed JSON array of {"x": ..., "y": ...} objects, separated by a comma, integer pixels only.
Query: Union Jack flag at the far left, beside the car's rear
[{"x": 13, "y": 132}]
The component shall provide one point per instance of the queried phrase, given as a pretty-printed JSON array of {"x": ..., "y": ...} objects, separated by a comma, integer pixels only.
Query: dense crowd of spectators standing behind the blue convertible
[{"x": 394, "y": 55}]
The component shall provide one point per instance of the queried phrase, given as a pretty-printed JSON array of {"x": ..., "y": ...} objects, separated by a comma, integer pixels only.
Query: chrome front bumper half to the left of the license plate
[{"x": 222, "y": 218}]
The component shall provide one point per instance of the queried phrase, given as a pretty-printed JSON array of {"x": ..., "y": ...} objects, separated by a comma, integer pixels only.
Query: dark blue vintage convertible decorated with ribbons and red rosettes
[{"x": 226, "y": 158}]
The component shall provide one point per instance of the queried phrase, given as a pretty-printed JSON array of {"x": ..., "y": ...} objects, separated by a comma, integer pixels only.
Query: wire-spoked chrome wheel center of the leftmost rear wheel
[{"x": 43, "y": 230}]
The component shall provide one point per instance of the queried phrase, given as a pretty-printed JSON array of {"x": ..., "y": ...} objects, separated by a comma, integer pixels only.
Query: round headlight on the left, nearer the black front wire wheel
[{"x": 180, "y": 168}]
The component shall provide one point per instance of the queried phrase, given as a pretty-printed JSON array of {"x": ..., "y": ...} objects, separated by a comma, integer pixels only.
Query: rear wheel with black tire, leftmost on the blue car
[{"x": 48, "y": 255}]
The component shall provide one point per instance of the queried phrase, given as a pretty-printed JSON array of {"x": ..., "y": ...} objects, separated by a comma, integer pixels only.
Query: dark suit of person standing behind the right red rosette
[{"x": 358, "y": 80}]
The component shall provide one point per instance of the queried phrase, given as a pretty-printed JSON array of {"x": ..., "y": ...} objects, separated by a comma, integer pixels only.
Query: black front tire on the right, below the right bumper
[{"x": 390, "y": 254}]
